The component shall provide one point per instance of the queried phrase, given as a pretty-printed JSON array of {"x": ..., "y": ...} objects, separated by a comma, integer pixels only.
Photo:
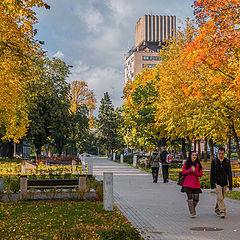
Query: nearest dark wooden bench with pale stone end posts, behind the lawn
[{"x": 27, "y": 184}]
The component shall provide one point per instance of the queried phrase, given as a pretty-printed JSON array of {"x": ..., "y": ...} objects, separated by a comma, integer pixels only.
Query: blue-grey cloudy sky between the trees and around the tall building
[{"x": 94, "y": 35}]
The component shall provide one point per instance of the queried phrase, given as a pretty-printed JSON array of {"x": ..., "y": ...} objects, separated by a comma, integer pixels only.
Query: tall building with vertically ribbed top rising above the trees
[{"x": 150, "y": 34}]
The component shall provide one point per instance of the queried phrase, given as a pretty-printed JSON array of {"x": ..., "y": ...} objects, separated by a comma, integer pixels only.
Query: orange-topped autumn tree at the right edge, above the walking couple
[{"x": 216, "y": 46}]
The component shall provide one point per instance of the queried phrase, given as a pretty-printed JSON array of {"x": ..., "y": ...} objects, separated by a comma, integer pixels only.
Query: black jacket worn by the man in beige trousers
[{"x": 221, "y": 173}]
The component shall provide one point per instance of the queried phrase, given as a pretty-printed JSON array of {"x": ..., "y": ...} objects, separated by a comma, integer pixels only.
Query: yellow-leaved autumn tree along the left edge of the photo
[{"x": 17, "y": 49}]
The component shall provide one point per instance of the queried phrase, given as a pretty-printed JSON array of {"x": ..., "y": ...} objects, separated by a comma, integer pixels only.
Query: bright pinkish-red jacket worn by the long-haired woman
[{"x": 191, "y": 178}]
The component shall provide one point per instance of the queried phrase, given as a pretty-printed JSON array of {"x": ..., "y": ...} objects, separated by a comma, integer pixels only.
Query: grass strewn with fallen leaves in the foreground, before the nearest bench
[{"x": 63, "y": 220}]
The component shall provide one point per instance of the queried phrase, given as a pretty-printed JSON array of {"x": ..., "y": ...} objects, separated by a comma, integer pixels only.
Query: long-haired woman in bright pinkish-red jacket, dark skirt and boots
[{"x": 192, "y": 170}]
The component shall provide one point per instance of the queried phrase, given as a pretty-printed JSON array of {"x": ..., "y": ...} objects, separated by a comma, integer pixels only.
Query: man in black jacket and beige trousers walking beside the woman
[{"x": 221, "y": 175}]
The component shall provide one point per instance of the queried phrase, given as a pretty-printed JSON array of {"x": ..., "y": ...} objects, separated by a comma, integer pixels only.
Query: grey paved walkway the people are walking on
[{"x": 160, "y": 210}]
